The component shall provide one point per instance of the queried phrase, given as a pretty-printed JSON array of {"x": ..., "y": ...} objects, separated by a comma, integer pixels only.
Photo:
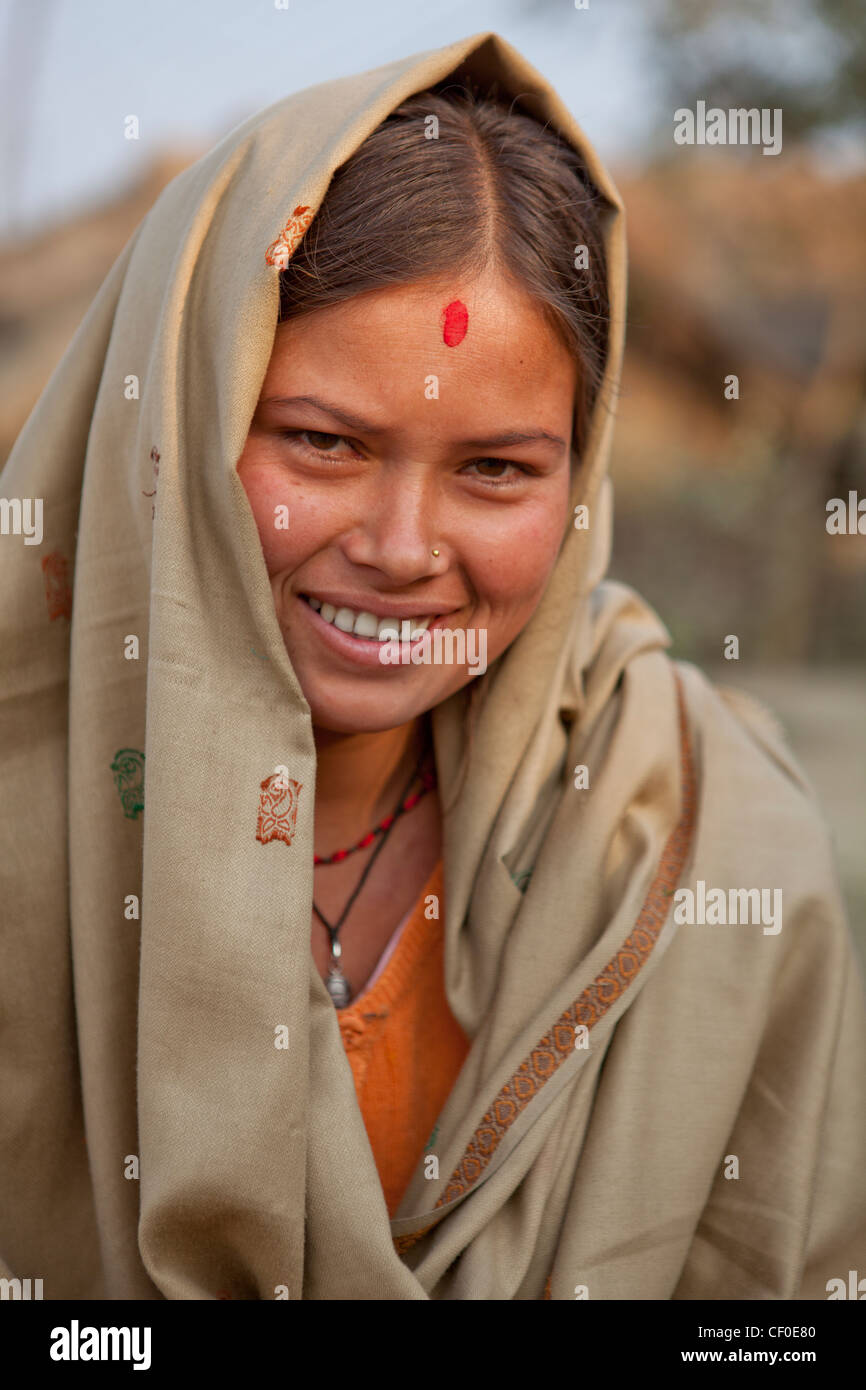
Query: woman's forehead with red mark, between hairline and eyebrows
[{"x": 479, "y": 334}]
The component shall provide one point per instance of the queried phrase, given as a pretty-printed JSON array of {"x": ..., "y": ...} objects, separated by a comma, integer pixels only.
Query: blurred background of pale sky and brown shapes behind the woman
[{"x": 740, "y": 263}]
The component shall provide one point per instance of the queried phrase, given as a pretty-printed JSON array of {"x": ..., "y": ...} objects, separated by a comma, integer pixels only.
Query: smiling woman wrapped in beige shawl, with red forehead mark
[{"x": 379, "y": 979}]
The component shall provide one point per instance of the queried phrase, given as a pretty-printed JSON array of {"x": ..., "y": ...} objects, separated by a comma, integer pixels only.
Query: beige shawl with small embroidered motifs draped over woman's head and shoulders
[{"x": 650, "y": 1110}]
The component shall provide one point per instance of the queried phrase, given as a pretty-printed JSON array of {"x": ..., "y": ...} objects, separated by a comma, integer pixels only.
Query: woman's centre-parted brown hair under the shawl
[{"x": 494, "y": 187}]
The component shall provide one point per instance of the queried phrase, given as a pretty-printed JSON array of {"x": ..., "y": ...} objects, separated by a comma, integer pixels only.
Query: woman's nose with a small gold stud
[{"x": 400, "y": 530}]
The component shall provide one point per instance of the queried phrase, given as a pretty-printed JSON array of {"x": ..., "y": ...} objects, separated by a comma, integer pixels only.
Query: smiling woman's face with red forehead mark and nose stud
[{"x": 377, "y": 441}]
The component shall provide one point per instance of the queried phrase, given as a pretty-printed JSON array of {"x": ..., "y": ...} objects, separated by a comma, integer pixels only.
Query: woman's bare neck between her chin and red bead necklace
[{"x": 359, "y": 779}]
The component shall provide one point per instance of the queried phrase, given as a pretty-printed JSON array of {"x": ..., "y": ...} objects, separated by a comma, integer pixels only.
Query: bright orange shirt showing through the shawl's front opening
[{"x": 405, "y": 1047}]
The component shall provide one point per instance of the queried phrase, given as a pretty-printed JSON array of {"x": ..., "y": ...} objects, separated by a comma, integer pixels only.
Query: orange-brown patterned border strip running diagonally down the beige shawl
[{"x": 558, "y": 1045}]
